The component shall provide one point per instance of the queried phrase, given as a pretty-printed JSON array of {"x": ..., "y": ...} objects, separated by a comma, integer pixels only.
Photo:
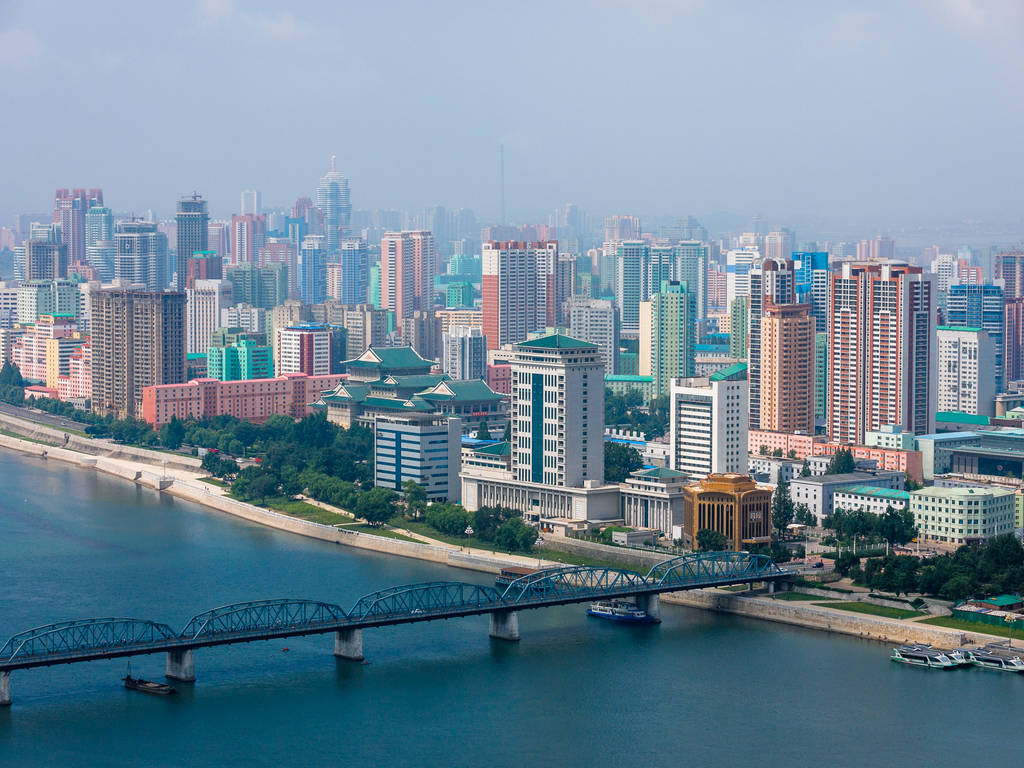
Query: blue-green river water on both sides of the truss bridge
[{"x": 700, "y": 690}]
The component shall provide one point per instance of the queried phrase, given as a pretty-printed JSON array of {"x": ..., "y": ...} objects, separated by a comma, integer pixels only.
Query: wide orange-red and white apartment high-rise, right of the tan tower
[{"x": 882, "y": 351}]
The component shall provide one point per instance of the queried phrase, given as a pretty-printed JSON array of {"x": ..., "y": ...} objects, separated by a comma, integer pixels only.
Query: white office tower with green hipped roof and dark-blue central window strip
[{"x": 558, "y": 412}]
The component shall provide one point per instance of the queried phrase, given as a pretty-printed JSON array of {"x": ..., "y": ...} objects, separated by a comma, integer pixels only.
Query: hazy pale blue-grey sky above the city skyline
[{"x": 910, "y": 111}]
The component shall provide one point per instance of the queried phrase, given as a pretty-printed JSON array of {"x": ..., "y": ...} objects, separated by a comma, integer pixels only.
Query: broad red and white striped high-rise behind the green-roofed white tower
[{"x": 515, "y": 290}]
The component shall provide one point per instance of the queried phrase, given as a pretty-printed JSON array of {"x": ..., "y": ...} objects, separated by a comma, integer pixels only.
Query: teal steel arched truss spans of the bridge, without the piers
[{"x": 99, "y": 638}]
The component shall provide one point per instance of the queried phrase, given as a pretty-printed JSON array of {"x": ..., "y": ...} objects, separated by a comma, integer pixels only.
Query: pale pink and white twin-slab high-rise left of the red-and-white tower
[{"x": 408, "y": 269}]
